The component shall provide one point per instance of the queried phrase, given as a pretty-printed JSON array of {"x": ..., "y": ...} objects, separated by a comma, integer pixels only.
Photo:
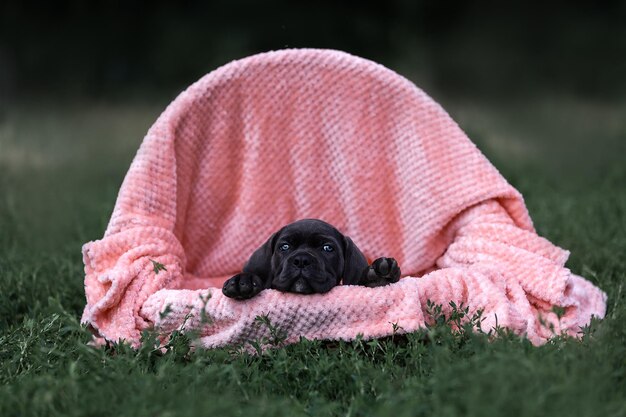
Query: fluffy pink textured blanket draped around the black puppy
[{"x": 295, "y": 134}]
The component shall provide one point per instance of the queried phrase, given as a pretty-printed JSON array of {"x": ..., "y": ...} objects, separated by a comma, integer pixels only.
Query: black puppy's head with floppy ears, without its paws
[{"x": 308, "y": 256}]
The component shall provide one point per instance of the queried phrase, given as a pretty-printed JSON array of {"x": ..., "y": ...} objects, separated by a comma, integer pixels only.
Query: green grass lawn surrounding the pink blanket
[{"x": 61, "y": 166}]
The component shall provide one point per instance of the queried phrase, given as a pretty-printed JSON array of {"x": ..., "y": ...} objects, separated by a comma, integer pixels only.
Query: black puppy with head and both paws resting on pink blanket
[{"x": 308, "y": 256}]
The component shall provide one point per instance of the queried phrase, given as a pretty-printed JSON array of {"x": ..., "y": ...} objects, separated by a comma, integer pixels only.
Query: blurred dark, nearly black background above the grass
[{"x": 479, "y": 49}]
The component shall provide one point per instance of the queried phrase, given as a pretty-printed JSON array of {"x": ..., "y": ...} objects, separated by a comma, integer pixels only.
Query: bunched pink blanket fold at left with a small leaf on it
[{"x": 137, "y": 262}]
